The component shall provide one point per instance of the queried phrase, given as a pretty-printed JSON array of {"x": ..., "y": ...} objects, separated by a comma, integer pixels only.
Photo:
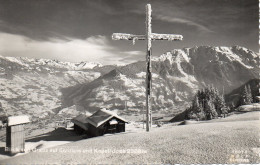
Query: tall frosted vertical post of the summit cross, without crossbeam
[{"x": 148, "y": 69}]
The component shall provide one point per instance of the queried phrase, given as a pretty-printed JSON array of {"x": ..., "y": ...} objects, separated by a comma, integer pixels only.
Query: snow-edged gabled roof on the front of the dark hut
[{"x": 101, "y": 116}]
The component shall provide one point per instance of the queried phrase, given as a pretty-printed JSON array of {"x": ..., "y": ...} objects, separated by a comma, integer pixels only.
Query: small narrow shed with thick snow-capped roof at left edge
[{"x": 15, "y": 135}]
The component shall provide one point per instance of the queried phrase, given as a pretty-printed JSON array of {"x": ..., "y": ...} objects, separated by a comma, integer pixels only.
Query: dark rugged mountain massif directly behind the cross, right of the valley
[{"x": 177, "y": 75}]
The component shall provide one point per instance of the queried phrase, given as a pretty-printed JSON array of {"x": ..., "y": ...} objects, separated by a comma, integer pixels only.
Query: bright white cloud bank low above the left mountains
[{"x": 95, "y": 49}]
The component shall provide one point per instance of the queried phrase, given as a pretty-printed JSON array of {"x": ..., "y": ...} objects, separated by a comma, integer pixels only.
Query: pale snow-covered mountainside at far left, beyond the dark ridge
[{"x": 32, "y": 86}]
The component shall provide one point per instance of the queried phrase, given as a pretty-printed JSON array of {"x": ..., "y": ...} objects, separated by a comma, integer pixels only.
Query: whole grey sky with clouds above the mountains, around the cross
[{"x": 80, "y": 30}]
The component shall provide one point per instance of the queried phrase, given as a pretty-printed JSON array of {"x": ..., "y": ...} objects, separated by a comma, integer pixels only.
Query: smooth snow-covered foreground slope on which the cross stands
[{"x": 234, "y": 139}]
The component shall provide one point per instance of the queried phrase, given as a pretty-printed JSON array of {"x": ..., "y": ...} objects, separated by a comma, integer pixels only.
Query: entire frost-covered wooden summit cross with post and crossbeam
[{"x": 149, "y": 37}]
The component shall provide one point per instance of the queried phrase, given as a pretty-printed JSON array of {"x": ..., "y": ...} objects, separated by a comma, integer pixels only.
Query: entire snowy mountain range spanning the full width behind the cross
[{"x": 43, "y": 88}]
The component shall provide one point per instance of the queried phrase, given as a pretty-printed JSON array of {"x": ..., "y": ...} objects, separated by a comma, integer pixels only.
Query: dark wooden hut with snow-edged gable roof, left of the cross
[{"x": 100, "y": 123}]
